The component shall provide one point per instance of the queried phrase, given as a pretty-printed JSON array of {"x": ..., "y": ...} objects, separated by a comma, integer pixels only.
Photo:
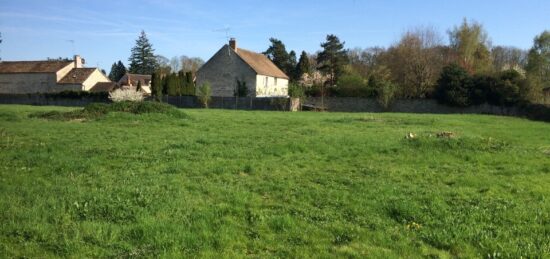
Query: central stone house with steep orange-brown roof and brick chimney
[{"x": 232, "y": 66}]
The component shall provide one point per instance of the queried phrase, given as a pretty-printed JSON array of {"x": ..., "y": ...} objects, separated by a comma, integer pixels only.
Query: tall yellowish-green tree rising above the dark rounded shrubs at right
[{"x": 470, "y": 43}]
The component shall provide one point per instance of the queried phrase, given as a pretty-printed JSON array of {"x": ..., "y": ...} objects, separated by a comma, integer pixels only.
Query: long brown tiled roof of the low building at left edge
[{"x": 32, "y": 66}]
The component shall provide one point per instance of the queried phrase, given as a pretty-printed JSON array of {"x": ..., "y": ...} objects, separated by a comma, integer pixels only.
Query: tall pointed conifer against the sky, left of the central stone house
[{"x": 142, "y": 60}]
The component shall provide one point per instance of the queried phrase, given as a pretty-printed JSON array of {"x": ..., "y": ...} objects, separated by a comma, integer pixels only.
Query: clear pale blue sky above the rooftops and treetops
[{"x": 104, "y": 31}]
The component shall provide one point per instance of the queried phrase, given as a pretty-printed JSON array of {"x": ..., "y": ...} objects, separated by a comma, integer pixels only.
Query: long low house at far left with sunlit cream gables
[{"x": 20, "y": 77}]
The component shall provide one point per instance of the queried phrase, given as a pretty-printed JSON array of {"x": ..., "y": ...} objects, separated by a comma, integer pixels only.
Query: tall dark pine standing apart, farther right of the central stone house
[{"x": 332, "y": 58}]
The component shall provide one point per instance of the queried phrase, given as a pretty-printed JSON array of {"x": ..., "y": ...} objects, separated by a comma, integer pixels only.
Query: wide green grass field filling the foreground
[{"x": 224, "y": 183}]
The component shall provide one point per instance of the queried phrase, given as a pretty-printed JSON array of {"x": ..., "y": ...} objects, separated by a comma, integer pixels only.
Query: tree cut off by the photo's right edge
[{"x": 538, "y": 66}]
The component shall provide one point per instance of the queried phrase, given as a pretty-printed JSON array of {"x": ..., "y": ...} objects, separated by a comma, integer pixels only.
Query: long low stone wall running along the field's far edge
[{"x": 334, "y": 104}]
